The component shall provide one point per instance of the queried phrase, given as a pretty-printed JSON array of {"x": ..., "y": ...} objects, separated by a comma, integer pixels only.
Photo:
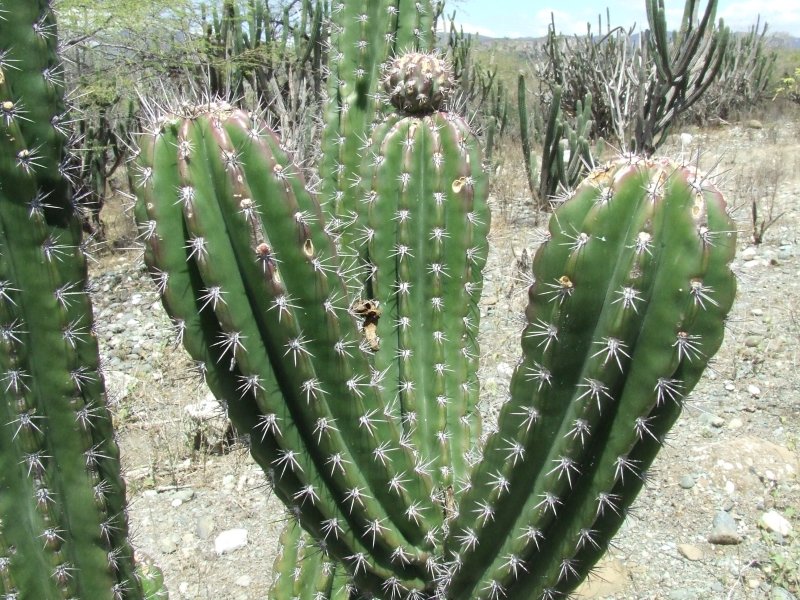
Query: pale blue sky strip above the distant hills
[{"x": 524, "y": 18}]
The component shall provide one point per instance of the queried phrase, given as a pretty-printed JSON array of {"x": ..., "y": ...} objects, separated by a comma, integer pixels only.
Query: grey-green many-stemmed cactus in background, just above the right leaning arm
[{"x": 640, "y": 89}]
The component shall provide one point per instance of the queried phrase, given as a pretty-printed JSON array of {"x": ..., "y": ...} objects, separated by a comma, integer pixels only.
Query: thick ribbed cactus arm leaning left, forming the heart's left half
[{"x": 276, "y": 336}]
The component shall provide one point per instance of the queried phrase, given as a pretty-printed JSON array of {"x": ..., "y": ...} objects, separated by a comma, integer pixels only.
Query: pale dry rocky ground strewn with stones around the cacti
[{"x": 720, "y": 518}]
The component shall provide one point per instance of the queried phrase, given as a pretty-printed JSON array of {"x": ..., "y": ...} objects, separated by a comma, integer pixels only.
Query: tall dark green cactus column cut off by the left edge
[{"x": 63, "y": 526}]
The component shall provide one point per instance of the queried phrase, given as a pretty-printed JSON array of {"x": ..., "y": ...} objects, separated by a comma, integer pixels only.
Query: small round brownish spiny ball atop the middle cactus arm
[{"x": 418, "y": 83}]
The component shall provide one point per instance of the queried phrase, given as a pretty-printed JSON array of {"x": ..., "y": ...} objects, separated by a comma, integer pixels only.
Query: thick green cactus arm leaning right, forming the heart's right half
[{"x": 616, "y": 392}]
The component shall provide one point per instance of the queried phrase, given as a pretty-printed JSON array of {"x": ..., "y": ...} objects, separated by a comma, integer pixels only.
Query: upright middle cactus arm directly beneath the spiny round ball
[{"x": 427, "y": 181}]
